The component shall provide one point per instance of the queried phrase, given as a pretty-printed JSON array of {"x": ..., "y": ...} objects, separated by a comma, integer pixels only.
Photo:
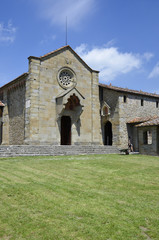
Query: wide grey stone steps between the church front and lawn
[{"x": 52, "y": 150}]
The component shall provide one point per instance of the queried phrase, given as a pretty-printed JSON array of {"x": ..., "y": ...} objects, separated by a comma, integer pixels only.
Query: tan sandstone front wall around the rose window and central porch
[{"x": 42, "y": 122}]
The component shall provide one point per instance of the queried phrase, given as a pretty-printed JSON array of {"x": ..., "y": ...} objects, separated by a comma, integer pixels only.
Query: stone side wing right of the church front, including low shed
[{"x": 123, "y": 111}]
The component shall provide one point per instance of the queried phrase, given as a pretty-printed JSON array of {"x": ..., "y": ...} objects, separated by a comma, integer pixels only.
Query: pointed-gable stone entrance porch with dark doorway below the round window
[{"x": 69, "y": 107}]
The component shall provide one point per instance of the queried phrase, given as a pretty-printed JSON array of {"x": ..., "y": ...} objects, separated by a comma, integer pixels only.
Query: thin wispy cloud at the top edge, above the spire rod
[{"x": 57, "y": 10}]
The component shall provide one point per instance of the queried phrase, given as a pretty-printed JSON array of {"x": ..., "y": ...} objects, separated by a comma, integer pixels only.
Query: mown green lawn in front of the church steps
[{"x": 103, "y": 197}]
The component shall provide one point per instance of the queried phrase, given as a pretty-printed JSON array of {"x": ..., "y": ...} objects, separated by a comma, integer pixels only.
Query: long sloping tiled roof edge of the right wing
[{"x": 126, "y": 90}]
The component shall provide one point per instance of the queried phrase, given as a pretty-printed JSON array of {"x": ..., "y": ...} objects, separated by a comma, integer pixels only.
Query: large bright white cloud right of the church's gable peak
[{"x": 110, "y": 61}]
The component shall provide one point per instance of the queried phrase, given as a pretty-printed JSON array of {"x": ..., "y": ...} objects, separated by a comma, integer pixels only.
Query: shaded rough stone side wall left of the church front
[{"x": 16, "y": 107}]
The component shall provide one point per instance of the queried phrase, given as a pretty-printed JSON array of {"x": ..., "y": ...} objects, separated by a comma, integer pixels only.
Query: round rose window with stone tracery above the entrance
[{"x": 66, "y": 78}]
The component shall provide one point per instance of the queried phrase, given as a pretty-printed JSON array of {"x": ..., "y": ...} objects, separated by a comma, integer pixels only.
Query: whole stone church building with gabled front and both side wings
[{"x": 59, "y": 101}]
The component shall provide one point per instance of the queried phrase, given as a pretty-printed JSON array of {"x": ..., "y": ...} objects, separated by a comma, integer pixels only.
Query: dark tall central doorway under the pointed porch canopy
[{"x": 65, "y": 130}]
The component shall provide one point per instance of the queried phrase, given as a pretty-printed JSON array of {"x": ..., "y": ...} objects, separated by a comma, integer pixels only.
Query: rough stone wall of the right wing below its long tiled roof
[{"x": 122, "y": 112}]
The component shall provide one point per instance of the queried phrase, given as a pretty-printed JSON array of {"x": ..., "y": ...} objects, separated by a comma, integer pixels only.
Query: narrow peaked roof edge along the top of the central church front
[{"x": 62, "y": 49}]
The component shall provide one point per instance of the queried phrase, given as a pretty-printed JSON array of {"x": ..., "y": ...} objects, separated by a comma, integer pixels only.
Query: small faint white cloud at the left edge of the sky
[{"x": 7, "y": 33}]
